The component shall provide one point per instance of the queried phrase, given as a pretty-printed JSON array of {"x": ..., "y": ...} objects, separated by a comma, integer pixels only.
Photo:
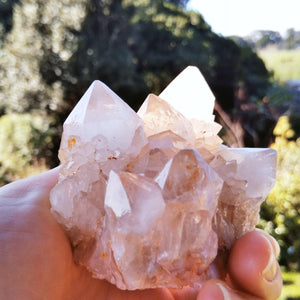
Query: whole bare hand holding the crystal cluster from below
[{"x": 36, "y": 257}]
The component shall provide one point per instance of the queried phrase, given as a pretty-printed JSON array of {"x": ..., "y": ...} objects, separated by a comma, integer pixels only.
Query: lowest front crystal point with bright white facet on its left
[{"x": 138, "y": 204}]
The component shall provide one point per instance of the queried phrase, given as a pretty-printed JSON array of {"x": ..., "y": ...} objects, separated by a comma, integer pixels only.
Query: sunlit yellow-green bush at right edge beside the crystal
[{"x": 281, "y": 211}]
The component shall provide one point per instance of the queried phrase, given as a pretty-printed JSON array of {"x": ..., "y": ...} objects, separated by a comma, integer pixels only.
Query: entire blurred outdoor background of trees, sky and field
[{"x": 248, "y": 51}]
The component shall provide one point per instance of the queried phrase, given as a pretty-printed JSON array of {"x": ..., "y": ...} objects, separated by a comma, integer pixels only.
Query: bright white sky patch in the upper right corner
[{"x": 241, "y": 17}]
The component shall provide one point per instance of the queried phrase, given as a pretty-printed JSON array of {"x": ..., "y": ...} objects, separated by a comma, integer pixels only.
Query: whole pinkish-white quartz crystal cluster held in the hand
[{"x": 154, "y": 199}]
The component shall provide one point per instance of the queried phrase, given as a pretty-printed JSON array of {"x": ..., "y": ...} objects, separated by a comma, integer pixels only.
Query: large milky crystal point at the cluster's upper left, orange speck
[{"x": 106, "y": 128}]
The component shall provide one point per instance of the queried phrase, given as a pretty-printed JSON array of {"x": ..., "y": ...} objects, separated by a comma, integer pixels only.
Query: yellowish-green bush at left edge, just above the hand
[{"x": 24, "y": 140}]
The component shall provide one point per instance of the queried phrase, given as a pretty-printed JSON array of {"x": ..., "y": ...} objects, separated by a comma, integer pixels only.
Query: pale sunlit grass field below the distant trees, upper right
[{"x": 284, "y": 63}]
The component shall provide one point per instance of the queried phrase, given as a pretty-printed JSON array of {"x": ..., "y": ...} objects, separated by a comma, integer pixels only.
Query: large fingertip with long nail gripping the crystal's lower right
[{"x": 253, "y": 266}]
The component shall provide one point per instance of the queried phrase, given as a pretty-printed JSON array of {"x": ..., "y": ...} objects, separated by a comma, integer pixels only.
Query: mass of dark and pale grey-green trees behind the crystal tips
[{"x": 56, "y": 48}]
